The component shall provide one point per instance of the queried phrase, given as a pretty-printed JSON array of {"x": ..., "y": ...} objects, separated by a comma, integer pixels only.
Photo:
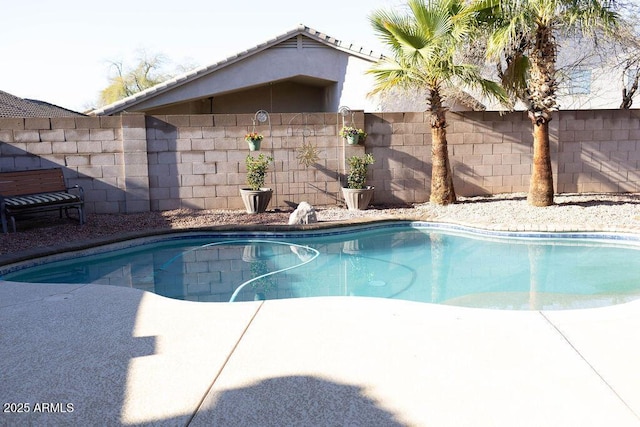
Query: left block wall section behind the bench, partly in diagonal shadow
[{"x": 89, "y": 149}]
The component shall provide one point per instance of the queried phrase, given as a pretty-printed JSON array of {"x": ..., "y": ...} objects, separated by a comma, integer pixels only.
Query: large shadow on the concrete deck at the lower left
[{"x": 56, "y": 350}]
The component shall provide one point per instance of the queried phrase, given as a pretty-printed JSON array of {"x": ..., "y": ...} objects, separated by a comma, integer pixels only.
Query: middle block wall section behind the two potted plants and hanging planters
[{"x": 198, "y": 161}]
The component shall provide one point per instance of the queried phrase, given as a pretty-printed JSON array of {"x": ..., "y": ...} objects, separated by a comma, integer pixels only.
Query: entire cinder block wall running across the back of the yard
[{"x": 133, "y": 163}]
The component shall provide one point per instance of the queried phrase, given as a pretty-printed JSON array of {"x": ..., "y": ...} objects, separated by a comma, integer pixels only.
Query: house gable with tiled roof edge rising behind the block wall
[{"x": 278, "y": 75}]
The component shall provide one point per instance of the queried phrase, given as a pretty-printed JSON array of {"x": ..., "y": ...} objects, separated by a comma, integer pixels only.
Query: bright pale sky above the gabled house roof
[{"x": 60, "y": 51}]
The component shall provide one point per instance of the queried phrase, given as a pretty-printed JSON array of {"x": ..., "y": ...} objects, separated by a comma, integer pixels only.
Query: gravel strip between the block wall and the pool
[{"x": 606, "y": 212}]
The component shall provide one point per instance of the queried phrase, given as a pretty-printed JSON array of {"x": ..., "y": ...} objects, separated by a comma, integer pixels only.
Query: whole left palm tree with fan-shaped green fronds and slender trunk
[{"x": 424, "y": 44}]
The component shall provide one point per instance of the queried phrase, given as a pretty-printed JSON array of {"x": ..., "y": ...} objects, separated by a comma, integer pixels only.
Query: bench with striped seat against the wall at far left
[{"x": 39, "y": 190}]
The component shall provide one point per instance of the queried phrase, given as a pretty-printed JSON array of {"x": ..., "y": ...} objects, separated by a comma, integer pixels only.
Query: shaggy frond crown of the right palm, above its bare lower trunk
[{"x": 524, "y": 29}]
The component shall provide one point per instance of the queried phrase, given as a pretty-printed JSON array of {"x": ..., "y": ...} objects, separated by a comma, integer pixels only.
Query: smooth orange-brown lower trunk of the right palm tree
[{"x": 541, "y": 185}]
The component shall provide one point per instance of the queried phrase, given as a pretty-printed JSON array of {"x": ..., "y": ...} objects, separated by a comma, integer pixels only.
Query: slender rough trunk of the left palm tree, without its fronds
[{"x": 442, "y": 191}]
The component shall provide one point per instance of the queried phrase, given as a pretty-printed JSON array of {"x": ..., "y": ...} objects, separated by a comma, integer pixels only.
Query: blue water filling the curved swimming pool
[{"x": 411, "y": 261}]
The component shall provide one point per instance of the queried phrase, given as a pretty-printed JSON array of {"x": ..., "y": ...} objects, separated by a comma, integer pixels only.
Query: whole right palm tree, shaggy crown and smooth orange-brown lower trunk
[{"x": 524, "y": 36}]
